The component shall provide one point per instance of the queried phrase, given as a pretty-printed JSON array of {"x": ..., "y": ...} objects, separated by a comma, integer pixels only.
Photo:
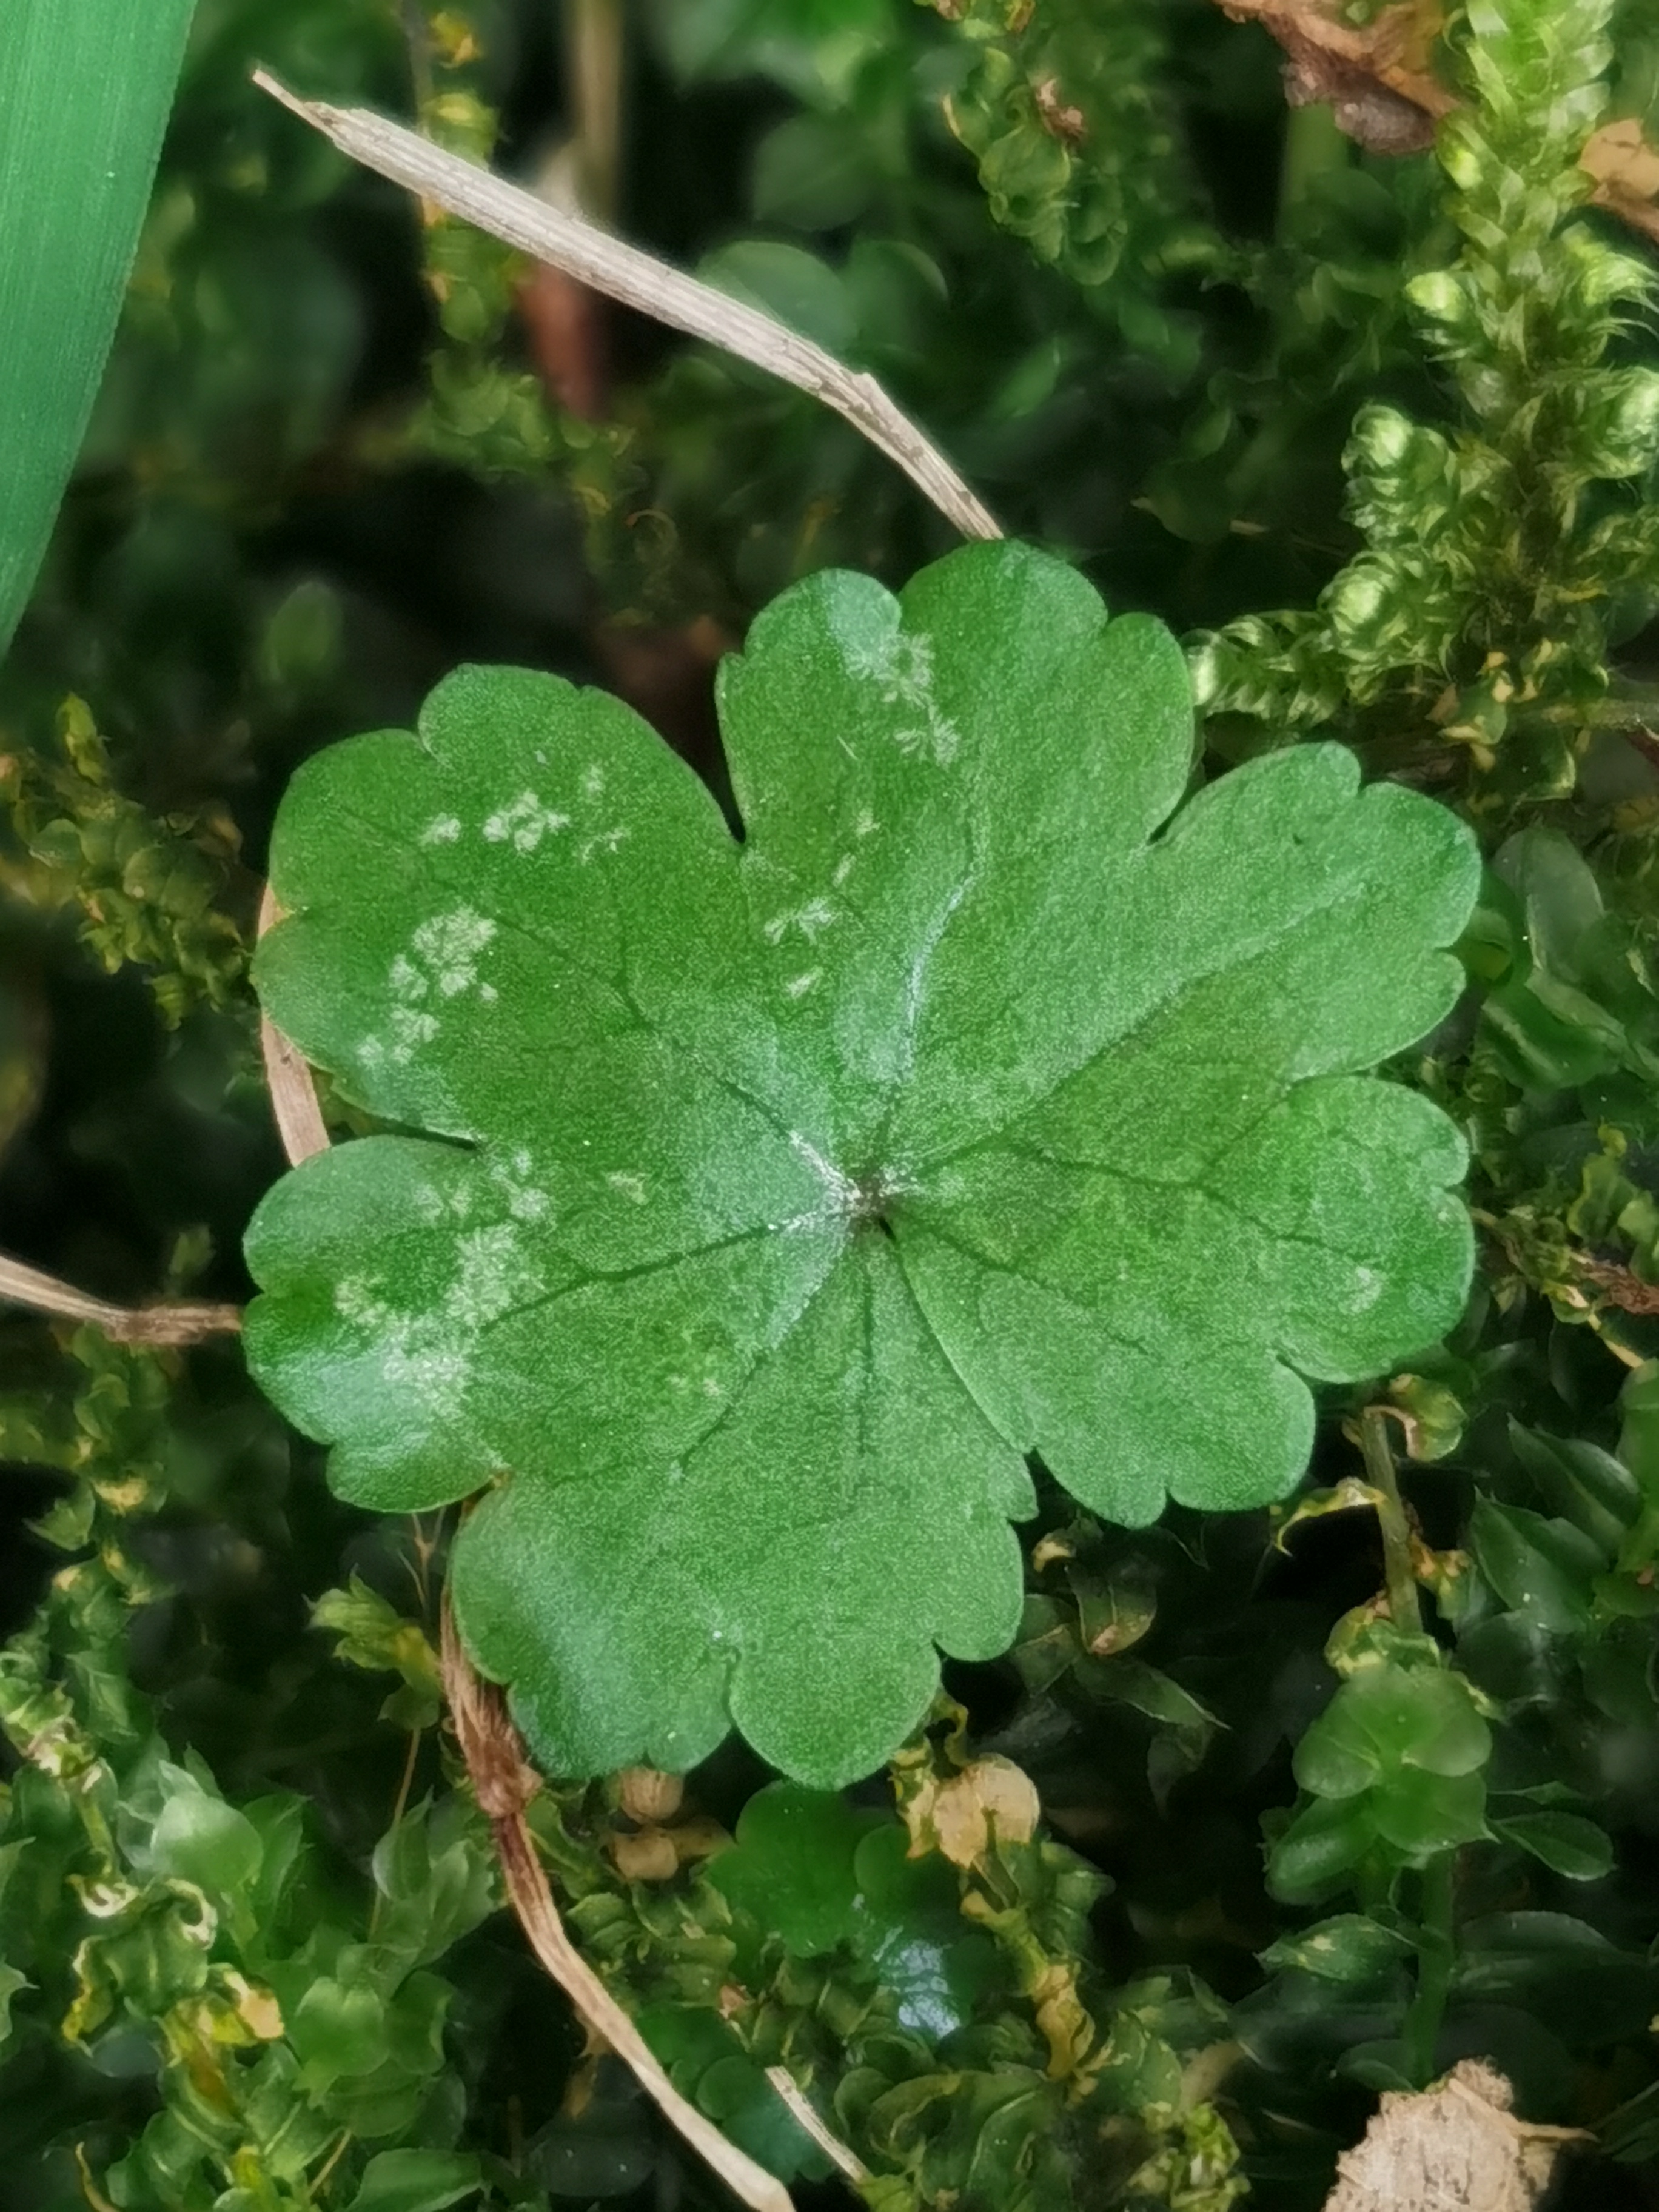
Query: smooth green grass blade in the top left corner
[{"x": 85, "y": 94}]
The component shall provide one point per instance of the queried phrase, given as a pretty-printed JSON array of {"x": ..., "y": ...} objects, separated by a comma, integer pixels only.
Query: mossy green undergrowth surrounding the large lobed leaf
[{"x": 1264, "y": 1815}]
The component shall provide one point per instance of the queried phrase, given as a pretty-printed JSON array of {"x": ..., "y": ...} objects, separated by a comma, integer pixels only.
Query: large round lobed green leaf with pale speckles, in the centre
[{"x": 793, "y": 1191}]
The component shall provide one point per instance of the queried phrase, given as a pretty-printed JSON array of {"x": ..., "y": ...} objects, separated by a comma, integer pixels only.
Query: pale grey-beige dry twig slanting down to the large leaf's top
[{"x": 643, "y": 282}]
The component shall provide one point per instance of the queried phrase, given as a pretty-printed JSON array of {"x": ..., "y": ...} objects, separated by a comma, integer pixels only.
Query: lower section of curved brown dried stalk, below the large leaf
[{"x": 505, "y": 1784}]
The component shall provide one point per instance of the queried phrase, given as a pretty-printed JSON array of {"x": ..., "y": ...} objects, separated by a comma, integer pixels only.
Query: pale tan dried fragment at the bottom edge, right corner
[{"x": 1450, "y": 2149}]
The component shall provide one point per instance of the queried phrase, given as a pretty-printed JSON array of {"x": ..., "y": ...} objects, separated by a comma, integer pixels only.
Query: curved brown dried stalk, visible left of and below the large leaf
[{"x": 503, "y": 1780}]
